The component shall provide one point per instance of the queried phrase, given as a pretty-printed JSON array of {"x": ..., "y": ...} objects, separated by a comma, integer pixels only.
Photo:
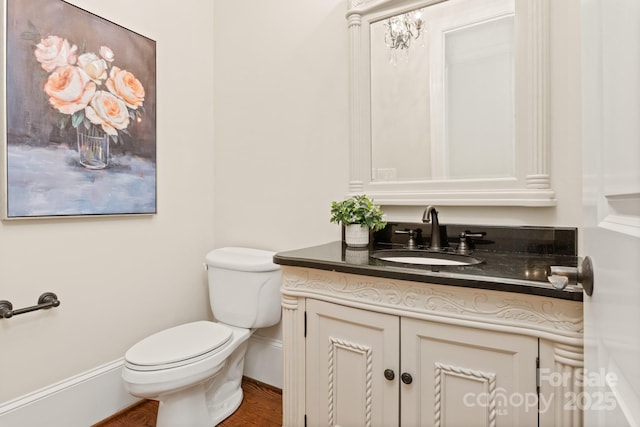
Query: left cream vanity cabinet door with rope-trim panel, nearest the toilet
[{"x": 347, "y": 353}]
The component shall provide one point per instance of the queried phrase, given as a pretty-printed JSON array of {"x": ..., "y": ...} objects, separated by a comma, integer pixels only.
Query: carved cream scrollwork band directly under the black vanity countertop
[{"x": 561, "y": 320}]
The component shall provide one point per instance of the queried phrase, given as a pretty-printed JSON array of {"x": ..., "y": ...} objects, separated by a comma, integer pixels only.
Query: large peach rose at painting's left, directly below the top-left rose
[{"x": 69, "y": 88}]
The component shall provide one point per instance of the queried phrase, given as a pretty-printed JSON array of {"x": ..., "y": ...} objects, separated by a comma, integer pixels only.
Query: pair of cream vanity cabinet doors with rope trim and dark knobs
[{"x": 367, "y": 368}]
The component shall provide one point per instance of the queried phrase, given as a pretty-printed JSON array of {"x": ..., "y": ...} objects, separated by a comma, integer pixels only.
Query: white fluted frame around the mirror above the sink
[{"x": 532, "y": 184}]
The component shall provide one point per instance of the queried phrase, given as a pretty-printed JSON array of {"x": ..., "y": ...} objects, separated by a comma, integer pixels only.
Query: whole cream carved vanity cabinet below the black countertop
[{"x": 370, "y": 351}]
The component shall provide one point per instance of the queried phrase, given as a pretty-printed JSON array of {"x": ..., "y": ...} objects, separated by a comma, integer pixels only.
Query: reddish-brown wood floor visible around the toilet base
[{"x": 261, "y": 406}]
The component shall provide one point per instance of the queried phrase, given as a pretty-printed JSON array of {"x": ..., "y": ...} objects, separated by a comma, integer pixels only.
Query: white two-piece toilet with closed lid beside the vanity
[{"x": 195, "y": 370}]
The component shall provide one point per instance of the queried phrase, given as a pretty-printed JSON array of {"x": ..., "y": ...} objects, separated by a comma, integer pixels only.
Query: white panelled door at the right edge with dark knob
[{"x": 611, "y": 175}]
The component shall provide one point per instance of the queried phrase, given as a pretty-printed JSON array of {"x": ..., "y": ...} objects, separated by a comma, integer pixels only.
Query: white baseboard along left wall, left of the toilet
[{"x": 81, "y": 401}]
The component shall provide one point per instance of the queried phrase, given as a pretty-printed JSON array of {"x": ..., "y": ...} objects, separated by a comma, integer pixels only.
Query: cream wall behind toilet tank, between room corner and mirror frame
[{"x": 281, "y": 121}]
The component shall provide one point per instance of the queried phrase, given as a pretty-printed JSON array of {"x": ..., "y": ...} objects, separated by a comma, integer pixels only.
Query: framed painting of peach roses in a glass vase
[{"x": 79, "y": 123}]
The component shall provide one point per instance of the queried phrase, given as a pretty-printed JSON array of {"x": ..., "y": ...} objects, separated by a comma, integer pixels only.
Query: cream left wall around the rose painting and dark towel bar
[{"x": 119, "y": 279}]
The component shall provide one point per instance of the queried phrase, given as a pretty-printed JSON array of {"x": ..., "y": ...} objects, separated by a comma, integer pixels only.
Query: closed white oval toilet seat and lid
[{"x": 178, "y": 346}]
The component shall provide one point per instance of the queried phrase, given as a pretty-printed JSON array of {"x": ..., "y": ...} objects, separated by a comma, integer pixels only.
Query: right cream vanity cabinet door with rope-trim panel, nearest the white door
[{"x": 467, "y": 377}]
